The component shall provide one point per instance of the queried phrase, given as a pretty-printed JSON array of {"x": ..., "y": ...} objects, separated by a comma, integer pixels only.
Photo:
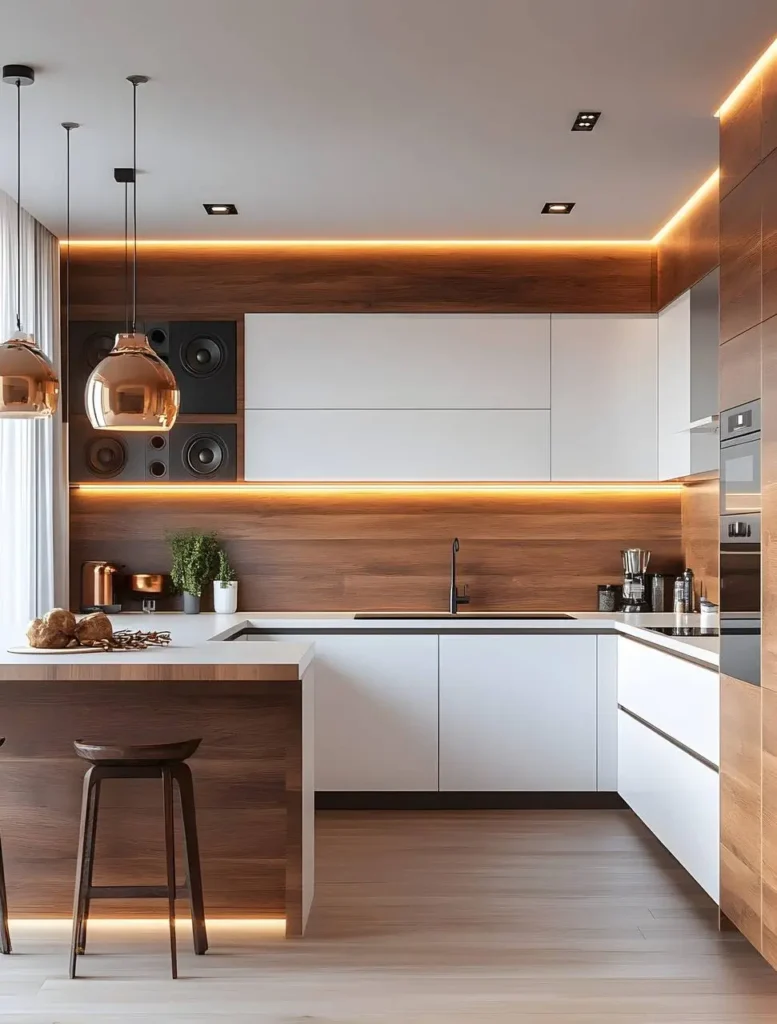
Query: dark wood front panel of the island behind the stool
[{"x": 248, "y": 788}]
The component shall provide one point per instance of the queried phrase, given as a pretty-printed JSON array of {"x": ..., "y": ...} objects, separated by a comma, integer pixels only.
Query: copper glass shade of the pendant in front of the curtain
[{"x": 29, "y": 386}]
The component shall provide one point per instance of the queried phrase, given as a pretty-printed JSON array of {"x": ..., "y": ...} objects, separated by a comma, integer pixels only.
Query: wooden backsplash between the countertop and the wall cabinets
[{"x": 391, "y": 552}]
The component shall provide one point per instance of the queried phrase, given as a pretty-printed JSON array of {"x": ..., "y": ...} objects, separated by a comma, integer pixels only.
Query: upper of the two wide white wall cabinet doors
[{"x": 398, "y": 361}]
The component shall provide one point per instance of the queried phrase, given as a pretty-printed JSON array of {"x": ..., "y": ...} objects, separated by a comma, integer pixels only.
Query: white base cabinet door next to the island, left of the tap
[{"x": 376, "y": 712}]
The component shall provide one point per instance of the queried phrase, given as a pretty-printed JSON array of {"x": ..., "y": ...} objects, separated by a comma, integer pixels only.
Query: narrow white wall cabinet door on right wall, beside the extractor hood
[{"x": 675, "y": 389}]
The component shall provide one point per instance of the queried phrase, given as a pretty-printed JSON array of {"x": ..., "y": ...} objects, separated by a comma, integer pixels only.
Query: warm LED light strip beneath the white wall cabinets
[{"x": 421, "y": 490}]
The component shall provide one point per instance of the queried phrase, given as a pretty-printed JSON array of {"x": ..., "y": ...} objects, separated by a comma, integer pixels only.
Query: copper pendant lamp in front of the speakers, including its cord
[{"x": 133, "y": 389}]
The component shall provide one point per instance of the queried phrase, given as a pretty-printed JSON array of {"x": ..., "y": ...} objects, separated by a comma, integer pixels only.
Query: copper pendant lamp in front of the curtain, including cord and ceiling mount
[{"x": 29, "y": 385}]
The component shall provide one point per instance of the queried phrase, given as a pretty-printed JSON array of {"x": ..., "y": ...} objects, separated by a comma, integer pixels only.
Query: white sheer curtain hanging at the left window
[{"x": 33, "y": 482}]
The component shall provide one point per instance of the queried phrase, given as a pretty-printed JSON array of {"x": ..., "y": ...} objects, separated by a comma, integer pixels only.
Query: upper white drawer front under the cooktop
[{"x": 680, "y": 699}]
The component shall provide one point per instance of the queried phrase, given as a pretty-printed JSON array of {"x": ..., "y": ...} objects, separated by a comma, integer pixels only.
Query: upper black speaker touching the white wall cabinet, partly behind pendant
[{"x": 203, "y": 355}]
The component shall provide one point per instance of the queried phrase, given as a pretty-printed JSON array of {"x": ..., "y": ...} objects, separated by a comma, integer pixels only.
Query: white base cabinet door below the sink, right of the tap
[{"x": 519, "y": 713}]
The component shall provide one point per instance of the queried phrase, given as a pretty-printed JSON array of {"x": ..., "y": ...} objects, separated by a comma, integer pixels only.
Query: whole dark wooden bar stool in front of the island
[{"x": 165, "y": 761}]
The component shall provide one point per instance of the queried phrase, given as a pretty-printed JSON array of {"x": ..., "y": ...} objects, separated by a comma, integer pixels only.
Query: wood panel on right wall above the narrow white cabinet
[{"x": 689, "y": 251}]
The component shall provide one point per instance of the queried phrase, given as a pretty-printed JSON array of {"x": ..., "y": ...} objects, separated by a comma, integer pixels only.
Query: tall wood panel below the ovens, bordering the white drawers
[{"x": 741, "y": 806}]
